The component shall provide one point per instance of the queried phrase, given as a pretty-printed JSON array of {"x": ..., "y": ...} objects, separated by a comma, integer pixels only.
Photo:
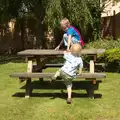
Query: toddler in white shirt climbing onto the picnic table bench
[{"x": 69, "y": 71}]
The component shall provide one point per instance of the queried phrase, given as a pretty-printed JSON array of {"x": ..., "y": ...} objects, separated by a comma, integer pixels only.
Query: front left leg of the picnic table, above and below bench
[{"x": 28, "y": 91}]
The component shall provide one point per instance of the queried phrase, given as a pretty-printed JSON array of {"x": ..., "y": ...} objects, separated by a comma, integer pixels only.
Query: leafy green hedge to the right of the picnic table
[{"x": 111, "y": 57}]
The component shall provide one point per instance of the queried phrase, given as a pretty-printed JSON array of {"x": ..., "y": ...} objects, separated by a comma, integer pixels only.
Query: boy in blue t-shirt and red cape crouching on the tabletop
[{"x": 71, "y": 35}]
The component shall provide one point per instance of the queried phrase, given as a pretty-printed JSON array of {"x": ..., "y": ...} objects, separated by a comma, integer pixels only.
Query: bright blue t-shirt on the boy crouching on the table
[{"x": 71, "y": 31}]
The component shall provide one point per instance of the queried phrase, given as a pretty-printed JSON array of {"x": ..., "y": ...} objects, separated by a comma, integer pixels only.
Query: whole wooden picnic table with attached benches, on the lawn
[{"x": 42, "y": 57}]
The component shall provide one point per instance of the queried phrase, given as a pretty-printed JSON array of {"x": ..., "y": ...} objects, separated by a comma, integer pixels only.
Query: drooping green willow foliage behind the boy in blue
[{"x": 84, "y": 14}]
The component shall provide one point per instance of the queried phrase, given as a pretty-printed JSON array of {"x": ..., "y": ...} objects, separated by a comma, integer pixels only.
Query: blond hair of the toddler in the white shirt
[{"x": 76, "y": 49}]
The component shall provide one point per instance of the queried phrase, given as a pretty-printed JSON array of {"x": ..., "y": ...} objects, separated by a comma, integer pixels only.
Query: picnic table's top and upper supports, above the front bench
[{"x": 37, "y": 54}]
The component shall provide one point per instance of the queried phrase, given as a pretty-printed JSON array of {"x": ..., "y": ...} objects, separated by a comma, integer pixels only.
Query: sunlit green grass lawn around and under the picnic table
[{"x": 49, "y": 105}]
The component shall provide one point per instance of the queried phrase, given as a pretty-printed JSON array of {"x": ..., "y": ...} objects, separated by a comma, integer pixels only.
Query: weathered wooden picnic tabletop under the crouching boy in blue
[{"x": 32, "y": 52}]
